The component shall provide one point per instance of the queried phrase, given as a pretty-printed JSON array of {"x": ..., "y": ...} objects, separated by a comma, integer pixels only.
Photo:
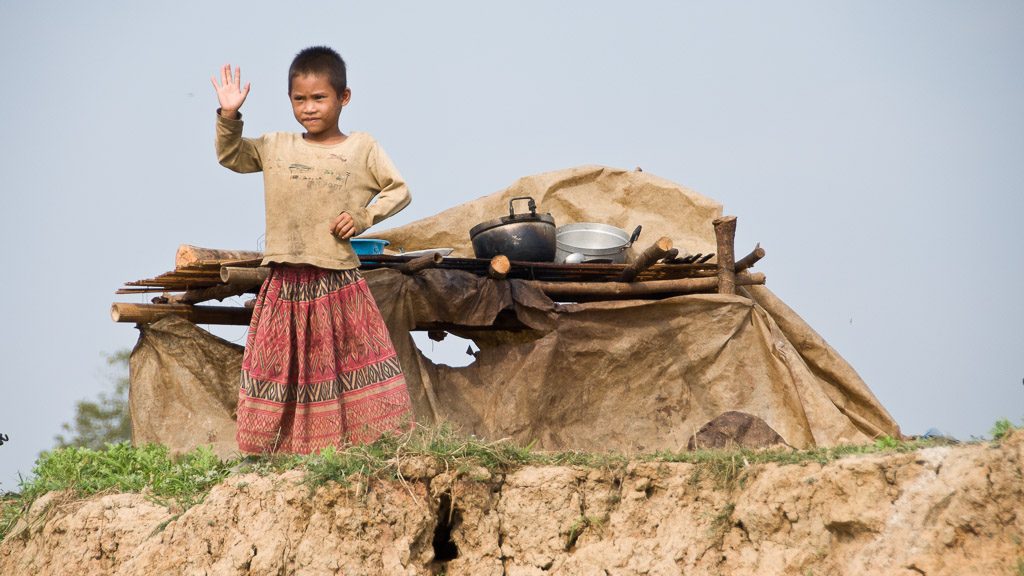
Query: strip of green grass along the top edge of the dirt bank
[{"x": 184, "y": 481}]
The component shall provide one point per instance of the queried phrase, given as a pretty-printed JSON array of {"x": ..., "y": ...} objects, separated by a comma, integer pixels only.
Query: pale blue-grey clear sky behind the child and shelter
[{"x": 875, "y": 149}]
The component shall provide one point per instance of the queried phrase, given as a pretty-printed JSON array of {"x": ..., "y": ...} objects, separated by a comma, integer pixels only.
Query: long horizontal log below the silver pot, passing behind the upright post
[{"x": 571, "y": 292}]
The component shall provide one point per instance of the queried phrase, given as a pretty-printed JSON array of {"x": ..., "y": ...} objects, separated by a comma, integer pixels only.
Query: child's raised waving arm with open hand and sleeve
[{"x": 234, "y": 152}]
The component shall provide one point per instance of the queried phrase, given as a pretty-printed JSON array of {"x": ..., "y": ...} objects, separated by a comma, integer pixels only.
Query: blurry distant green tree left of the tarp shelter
[{"x": 106, "y": 420}]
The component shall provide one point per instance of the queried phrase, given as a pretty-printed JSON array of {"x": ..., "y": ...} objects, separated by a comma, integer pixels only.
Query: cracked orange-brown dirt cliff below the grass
[{"x": 957, "y": 510}]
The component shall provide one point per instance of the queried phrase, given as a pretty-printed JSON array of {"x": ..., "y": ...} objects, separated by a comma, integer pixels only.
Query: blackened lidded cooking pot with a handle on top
[{"x": 520, "y": 237}]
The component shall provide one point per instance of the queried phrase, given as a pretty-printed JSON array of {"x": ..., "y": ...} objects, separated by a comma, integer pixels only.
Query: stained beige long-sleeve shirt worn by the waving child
[{"x": 307, "y": 186}]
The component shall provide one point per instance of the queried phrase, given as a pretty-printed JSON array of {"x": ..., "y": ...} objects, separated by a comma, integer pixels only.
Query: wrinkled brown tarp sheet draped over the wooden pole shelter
[{"x": 634, "y": 376}]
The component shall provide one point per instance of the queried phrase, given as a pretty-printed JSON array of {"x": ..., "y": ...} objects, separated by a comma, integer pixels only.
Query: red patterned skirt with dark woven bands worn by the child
[{"x": 319, "y": 368}]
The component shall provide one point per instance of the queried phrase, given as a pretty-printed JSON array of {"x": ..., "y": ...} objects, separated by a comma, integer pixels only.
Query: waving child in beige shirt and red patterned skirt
[{"x": 319, "y": 368}]
